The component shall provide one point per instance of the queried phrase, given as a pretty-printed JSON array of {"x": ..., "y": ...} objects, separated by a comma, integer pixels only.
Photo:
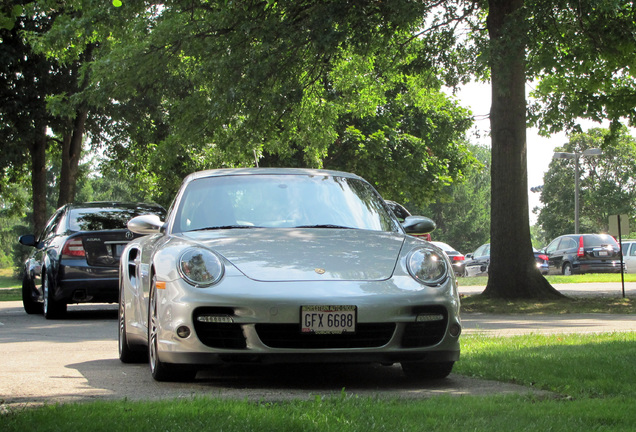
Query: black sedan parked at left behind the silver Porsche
[{"x": 76, "y": 258}]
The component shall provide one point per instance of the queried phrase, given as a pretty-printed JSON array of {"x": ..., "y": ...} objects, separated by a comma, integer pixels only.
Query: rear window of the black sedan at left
[{"x": 107, "y": 218}]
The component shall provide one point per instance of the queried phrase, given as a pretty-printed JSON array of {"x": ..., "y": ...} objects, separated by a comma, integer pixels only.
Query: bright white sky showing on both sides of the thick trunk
[{"x": 476, "y": 97}]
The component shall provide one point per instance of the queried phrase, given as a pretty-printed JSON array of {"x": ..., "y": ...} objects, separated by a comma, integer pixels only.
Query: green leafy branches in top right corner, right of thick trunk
[{"x": 582, "y": 54}]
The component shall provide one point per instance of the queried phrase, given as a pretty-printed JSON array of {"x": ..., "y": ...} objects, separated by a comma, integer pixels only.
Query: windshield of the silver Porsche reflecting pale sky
[{"x": 281, "y": 201}]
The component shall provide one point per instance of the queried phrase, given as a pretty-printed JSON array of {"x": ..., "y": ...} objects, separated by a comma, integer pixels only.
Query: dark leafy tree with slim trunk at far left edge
[{"x": 25, "y": 80}]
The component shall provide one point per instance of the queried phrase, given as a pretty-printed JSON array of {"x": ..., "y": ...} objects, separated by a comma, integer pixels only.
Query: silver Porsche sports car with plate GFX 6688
[{"x": 264, "y": 265}]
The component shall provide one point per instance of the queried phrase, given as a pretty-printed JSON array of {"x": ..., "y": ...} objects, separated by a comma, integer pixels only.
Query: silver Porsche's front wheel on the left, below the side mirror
[{"x": 161, "y": 371}]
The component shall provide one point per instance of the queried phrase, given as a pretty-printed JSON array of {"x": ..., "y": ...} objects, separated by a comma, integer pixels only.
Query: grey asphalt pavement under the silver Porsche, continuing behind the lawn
[{"x": 75, "y": 359}]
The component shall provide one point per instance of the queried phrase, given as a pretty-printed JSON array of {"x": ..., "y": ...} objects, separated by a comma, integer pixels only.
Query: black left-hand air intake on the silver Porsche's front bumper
[{"x": 219, "y": 335}]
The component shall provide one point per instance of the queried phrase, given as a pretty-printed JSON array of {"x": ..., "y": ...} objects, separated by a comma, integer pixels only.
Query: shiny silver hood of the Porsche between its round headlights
[{"x": 306, "y": 254}]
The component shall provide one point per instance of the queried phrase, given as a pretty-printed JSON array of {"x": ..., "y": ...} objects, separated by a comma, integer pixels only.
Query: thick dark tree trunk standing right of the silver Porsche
[{"x": 512, "y": 273}]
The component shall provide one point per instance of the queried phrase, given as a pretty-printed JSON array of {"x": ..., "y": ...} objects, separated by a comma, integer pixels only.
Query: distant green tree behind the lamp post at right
[{"x": 606, "y": 187}]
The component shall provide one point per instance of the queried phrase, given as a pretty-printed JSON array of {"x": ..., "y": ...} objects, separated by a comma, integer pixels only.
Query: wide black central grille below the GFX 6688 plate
[{"x": 290, "y": 336}]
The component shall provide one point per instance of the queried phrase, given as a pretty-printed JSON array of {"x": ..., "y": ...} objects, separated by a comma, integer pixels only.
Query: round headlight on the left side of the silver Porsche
[{"x": 200, "y": 267}]
